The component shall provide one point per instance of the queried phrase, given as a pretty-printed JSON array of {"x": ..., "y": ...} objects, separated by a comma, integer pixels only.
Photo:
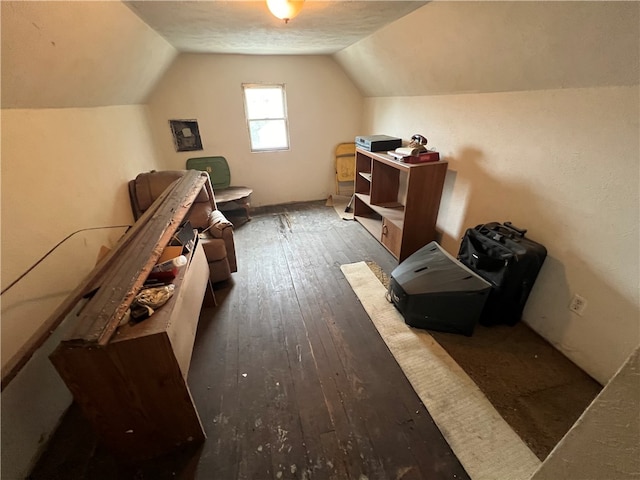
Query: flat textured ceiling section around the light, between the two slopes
[{"x": 247, "y": 27}]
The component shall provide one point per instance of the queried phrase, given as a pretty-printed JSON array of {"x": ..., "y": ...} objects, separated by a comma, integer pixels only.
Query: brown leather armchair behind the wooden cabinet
[{"x": 216, "y": 232}]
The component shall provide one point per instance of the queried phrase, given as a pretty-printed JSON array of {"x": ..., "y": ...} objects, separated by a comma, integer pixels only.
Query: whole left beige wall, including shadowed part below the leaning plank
[{"x": 62, "y": 170}]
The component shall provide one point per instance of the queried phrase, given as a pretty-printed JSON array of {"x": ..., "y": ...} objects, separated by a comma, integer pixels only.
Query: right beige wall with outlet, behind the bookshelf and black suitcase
[{"x": 529, "y": 157}]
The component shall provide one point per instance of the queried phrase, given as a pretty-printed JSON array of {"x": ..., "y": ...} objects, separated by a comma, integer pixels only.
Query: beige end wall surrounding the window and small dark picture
[{"x": 324, "y": 109}]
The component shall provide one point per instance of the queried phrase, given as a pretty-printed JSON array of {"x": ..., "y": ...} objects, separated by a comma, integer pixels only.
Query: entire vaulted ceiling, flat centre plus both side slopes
[{"x": 58, "y": 54}]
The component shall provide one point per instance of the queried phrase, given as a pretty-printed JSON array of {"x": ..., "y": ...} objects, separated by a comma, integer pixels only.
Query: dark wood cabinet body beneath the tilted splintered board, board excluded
[{"x": 134, "y": 389}]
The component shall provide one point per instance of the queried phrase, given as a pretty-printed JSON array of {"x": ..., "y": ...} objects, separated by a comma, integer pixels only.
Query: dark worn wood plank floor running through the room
[{"x": 289, "y": 375}]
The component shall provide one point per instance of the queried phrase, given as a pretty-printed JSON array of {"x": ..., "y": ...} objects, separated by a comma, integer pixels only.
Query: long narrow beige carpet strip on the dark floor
[{"x": 484, "y": 443}]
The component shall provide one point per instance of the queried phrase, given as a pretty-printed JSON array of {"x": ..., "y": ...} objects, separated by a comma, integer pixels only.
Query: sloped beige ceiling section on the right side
[{"x": 479, "y": 47}]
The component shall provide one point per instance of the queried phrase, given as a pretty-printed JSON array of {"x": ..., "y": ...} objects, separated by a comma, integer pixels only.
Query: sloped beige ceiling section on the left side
[{"x": 78, "y": 54}]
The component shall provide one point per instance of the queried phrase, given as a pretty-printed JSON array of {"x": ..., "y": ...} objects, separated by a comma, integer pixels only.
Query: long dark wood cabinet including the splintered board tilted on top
[{"x": 130, "y": 379}]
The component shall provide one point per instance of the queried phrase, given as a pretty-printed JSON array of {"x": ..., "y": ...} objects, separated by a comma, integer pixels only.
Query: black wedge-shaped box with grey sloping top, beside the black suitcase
[{"x": 433, "y": 290}]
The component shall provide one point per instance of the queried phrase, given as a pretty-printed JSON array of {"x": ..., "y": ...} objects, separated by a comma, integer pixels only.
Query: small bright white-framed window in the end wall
[{"x": 266, "y": 111}]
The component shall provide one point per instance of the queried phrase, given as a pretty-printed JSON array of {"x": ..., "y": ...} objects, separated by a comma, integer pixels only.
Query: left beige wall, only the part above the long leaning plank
[{"x": 62, "y": 170}]
